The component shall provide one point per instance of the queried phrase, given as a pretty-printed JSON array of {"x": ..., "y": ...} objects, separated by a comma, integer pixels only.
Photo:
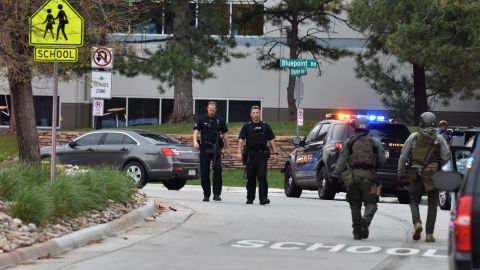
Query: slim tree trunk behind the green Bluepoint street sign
[{"x": 292, "y": 38}]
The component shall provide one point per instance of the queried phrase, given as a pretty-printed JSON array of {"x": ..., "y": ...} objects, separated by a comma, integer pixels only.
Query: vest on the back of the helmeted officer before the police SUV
[{"x": 363, "y": 152}]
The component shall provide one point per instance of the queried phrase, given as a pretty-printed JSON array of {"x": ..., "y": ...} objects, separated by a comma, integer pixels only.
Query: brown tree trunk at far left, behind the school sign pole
[{"x": 20, "y": 81}]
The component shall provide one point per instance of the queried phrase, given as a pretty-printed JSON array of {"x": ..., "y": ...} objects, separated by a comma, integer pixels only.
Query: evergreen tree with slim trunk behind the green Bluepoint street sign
[{"x": 288, "y": 16}]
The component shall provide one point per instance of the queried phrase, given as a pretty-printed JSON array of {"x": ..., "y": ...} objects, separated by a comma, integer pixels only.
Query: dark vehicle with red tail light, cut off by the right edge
[{"x": 464, "y": 235}]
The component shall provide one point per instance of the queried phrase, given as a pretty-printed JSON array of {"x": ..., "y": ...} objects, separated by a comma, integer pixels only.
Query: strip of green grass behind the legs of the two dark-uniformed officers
[{"x": 234, "y": 178}]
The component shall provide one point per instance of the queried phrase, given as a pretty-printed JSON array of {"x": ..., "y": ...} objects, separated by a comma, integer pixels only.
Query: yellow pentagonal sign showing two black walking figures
[{"x": 56, "y": 24}]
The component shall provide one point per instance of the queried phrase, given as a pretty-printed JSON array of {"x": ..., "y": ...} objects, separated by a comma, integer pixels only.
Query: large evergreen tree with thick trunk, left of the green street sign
[{"x": 189, "y": 53}]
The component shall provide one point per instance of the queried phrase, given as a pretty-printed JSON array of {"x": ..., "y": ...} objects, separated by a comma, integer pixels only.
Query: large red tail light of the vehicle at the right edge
[{"x": 463, "y": 224}]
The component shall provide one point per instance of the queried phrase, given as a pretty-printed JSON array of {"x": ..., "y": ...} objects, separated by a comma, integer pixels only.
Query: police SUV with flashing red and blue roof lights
[{"x": 313, "y": 160}]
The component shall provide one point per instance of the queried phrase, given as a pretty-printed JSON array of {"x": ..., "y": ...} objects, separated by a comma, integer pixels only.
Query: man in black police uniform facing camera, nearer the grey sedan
[{"x": 213, "y": 138}]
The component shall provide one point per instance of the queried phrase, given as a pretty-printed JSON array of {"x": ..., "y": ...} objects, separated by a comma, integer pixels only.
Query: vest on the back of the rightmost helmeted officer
[{"x": 426, "y": 147}]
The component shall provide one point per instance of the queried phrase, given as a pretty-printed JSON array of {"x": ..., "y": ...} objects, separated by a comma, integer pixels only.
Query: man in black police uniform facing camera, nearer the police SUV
[{"x": 258, "y": 136}]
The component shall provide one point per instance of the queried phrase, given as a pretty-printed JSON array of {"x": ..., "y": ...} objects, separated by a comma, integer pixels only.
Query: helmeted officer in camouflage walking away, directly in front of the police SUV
[{"x": 363, "y": 154}]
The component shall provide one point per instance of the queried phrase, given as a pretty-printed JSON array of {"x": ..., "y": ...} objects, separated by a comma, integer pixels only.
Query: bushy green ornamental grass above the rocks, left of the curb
[{"x": 36, "y": 199}]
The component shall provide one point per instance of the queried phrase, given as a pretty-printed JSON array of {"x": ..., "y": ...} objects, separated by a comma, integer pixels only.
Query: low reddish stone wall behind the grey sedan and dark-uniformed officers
[{"x": 284, "y": 147}]
